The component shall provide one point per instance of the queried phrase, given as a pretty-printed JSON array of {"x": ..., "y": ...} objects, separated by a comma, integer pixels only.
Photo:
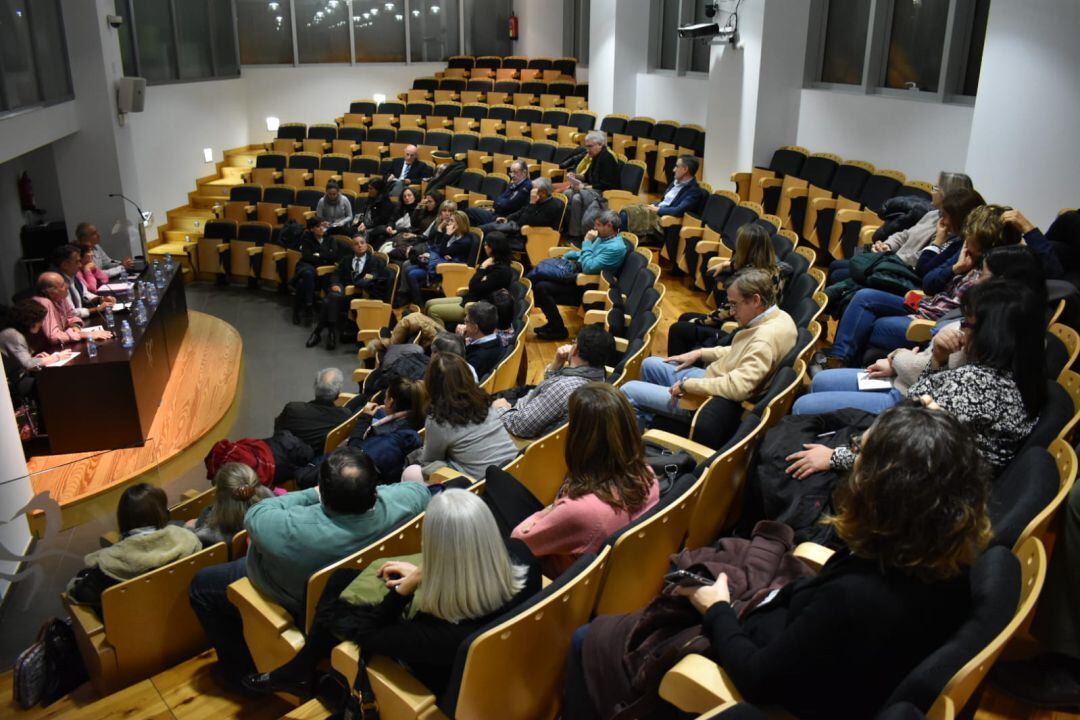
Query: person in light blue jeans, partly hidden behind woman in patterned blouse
[{"x": 839, "y": 388}]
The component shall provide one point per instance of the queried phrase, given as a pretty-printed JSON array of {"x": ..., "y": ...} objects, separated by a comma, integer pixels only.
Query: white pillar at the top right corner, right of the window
[{"x": 1023, "y": 150}]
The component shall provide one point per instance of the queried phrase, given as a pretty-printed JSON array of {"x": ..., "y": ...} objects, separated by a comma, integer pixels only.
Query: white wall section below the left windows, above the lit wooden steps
[{"x": 170, "y": 135}]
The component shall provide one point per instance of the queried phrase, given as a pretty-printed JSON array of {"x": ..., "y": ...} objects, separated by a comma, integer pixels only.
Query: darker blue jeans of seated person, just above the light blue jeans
[{"x": 874, "y": 319}]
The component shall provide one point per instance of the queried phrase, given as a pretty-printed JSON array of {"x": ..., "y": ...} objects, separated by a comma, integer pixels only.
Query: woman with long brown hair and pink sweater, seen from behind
[{"x": 609, "y": 484}]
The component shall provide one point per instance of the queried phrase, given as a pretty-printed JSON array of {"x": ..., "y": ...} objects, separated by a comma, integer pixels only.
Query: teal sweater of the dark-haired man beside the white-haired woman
[{"x": 293, "y": 537}]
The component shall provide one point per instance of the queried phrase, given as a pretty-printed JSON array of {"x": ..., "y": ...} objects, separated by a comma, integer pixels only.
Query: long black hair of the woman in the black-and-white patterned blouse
[{"x": 1009, "y": 334}]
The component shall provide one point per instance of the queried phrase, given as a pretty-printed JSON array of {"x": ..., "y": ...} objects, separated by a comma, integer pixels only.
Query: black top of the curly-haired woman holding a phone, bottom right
[{"x": 838, "y": 645}]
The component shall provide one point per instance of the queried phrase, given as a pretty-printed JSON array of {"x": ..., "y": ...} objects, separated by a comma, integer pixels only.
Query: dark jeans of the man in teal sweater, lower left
[{"x": 220, "y": 618}]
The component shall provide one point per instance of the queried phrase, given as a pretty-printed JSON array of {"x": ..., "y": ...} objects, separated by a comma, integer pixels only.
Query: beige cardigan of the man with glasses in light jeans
[{"x": 742, "y": 371}]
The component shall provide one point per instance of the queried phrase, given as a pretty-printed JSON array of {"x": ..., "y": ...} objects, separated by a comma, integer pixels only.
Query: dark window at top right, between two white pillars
[{"x": 929, "y": 48}]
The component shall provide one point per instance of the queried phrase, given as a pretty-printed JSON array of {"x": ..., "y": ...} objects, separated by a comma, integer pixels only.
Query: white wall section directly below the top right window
[{"x": 917, "y": 138}]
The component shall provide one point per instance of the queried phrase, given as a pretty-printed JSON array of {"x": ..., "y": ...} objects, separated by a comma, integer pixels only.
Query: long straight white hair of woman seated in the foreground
[{"x": 467, "y": 568}]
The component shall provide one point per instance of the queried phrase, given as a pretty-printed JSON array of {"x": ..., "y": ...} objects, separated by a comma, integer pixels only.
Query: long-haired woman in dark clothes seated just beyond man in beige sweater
[{"x": 753, "y": 250}]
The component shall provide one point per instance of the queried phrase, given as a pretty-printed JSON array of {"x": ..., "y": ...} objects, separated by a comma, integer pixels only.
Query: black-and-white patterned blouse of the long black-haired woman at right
[{"x": 984, "y": 399}]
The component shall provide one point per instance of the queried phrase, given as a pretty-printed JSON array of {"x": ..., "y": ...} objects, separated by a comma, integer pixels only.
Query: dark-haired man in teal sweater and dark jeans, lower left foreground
[{"x": 295, "y": 536}]
